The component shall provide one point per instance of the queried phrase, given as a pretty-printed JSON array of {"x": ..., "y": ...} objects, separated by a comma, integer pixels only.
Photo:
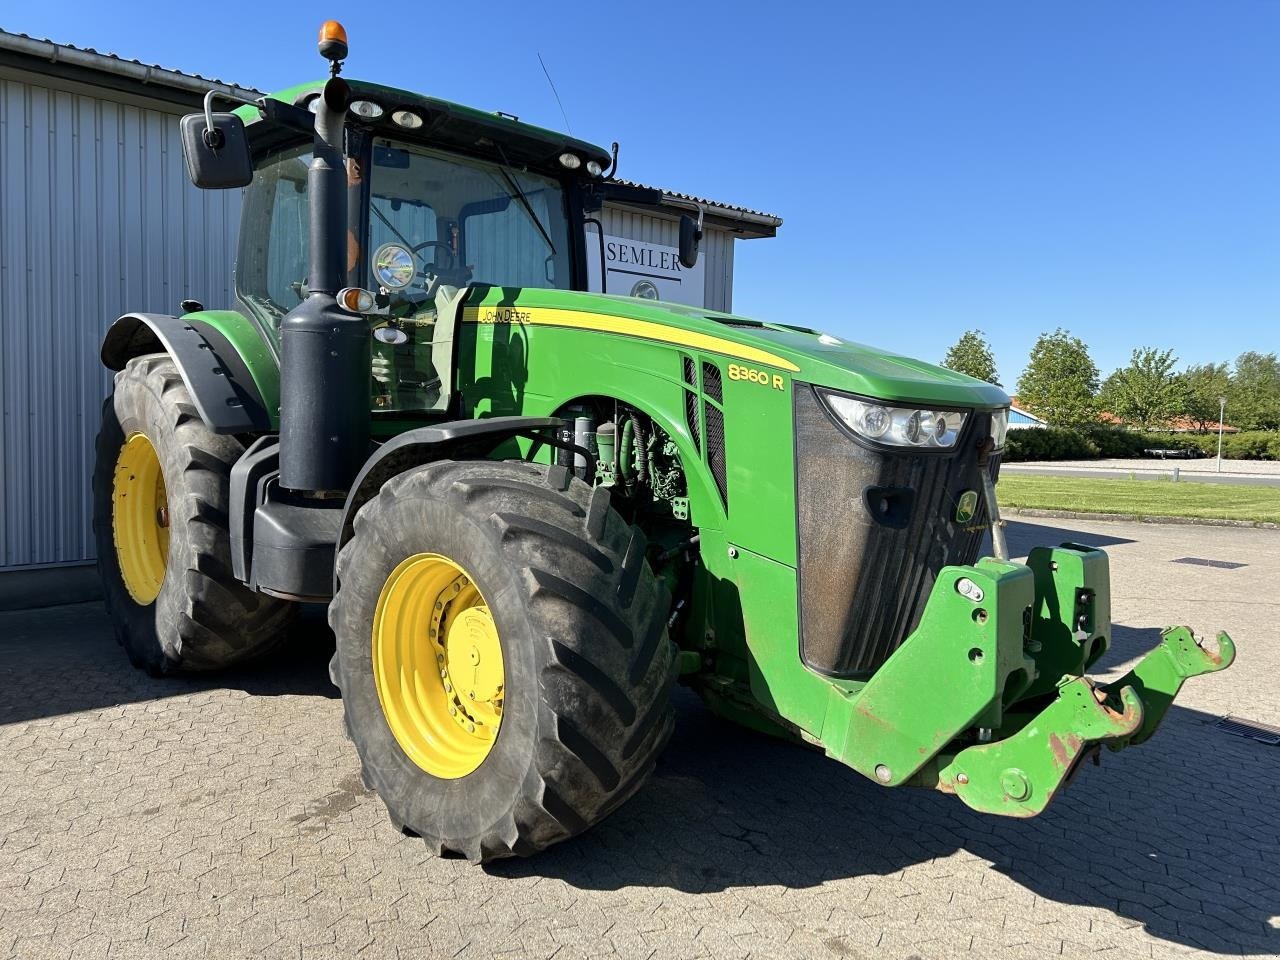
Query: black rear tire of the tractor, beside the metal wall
[{"x": 202, "y": 618}]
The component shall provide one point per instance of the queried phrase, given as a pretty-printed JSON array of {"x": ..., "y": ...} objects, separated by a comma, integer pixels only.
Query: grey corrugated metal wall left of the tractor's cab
[{"x": 97, "y": 218}]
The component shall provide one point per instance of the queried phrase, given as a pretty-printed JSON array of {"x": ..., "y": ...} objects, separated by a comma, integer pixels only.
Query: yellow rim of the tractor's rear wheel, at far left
[{"x": 140, "y": 519}]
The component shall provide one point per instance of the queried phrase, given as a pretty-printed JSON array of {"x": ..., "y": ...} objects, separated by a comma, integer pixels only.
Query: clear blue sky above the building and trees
[{"x": 1109, "y": 168}]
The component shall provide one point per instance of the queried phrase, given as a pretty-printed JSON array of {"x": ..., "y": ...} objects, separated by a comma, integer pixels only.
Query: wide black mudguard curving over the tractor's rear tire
[{"x": 217, "y": 374}]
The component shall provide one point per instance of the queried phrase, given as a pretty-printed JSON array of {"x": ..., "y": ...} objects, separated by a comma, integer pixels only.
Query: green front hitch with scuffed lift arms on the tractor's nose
[{"x": 989, "y": 701}]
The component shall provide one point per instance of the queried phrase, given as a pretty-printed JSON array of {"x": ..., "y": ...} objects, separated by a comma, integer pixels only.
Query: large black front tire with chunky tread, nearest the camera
[{"x": 582, "y": 624}]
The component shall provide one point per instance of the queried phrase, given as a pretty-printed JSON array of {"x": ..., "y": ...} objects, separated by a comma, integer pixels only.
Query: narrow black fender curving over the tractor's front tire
[{"x": 413, "y": 449}]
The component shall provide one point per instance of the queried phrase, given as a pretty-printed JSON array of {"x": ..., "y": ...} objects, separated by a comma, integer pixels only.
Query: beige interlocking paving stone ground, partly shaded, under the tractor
[{"x": 225, "y": 819}]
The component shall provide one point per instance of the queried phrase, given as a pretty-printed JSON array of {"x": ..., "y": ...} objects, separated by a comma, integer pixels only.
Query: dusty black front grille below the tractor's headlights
[{"x": 875, "y": 531}]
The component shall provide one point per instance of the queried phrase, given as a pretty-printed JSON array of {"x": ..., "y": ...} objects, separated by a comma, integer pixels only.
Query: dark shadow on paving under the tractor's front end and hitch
[{"x": 1178, "y": 835}]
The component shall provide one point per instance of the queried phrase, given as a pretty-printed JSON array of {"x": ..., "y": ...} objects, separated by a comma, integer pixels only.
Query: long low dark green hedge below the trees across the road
[{"x": 1121, "y": 444}]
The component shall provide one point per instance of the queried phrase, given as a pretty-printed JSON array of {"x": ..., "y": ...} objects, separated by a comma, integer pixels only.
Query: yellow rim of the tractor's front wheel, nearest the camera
[{"x": 438, "y": 666}]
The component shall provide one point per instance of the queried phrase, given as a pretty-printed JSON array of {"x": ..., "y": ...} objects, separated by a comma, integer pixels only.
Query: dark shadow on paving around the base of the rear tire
[{"x": 70, "y": 656}]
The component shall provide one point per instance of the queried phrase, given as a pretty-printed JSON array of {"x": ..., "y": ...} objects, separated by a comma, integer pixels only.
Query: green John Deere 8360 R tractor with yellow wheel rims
[{"x": 532, "y": 510}]
